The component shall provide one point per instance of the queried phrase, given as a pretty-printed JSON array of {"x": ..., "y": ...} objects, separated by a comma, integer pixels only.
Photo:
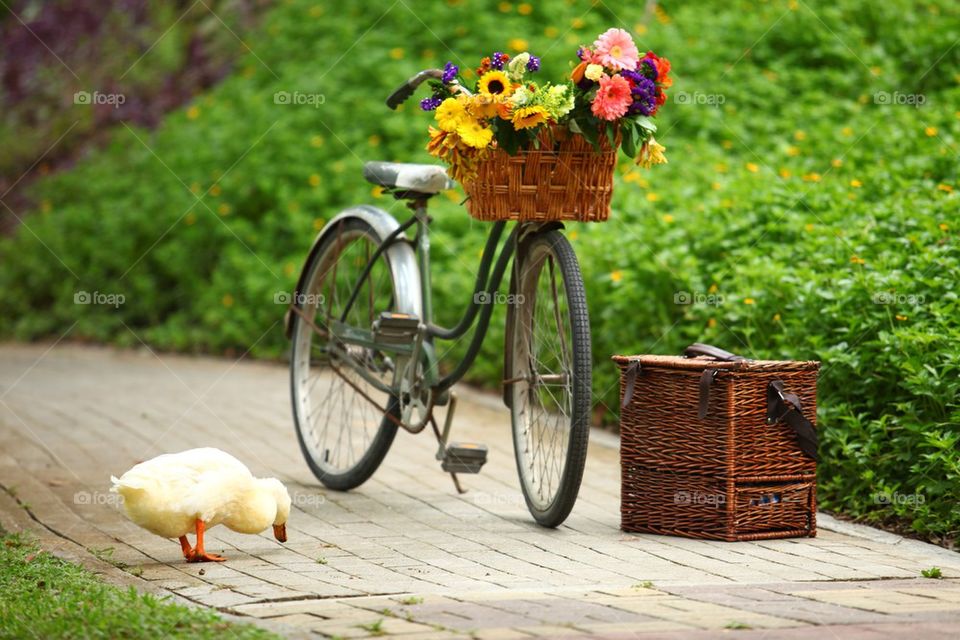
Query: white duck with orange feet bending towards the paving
[{"x": 178, "y": 493}]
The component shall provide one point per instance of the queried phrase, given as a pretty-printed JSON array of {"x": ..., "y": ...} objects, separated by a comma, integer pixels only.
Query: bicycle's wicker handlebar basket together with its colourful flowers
[{"x": 541, "y": 151}]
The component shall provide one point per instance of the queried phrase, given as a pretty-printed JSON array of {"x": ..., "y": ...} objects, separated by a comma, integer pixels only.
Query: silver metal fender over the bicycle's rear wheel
[{"x": 403, "y": 263}]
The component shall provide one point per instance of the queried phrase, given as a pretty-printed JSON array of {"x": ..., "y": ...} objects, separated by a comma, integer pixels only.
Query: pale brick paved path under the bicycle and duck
[{"x": 405, "y": 555}]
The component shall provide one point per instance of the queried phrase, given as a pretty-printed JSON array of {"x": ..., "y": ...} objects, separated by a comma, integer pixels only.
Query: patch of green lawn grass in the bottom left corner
[{"x": 44, "y": 597}]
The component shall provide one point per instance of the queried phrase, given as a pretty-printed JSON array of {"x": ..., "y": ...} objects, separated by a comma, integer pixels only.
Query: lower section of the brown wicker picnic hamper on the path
[{"x": 694, "y": 506}]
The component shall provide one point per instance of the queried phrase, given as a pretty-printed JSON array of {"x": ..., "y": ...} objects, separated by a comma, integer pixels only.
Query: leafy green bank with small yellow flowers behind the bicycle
[{"x": 809, "y": 210}]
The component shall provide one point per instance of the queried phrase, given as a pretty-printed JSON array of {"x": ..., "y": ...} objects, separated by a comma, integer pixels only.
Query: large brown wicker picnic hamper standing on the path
[{"x": 716, "y": 446}]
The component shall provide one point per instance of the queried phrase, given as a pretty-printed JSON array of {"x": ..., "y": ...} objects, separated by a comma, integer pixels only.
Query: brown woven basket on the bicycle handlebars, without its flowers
[{"x": 565, "y": 179}]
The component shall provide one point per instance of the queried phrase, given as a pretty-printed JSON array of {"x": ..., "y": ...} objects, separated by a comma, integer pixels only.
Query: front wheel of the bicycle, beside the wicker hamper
[{"x": 549, "y": 368}]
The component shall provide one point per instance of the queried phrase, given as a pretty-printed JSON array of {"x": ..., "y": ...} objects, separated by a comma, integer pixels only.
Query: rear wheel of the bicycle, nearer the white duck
[{"x": 343, "y": 435}]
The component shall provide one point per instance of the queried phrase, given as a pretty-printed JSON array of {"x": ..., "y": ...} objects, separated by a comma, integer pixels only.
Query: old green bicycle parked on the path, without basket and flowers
[{"x": 364, "y": 362}]
